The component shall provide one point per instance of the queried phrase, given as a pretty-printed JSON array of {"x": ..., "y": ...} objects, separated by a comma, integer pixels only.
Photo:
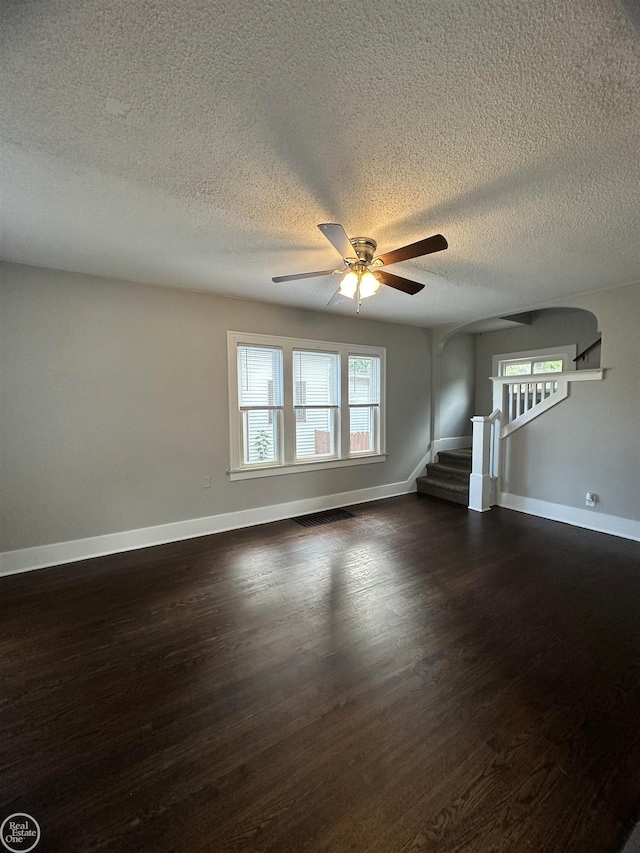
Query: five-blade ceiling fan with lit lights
[{"x": 362, "y": 274}]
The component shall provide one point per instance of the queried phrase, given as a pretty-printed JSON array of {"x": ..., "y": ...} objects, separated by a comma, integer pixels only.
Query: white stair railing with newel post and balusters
[{"x": 516, "y": 401}]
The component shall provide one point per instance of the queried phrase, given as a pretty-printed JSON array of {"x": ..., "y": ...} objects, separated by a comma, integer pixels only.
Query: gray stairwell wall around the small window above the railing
[{"x": 551, "y": 327}]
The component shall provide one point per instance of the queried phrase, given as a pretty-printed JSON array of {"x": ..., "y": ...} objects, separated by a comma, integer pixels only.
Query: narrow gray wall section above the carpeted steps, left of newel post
[{"x": 457, "y": 387}]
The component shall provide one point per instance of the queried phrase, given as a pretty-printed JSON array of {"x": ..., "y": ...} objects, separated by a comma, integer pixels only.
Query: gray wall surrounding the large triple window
[{"x": 113, "y": 405}]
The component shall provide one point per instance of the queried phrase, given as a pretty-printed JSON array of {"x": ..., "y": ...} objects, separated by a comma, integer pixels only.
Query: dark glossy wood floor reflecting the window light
[{"x": 417, "y": 678}]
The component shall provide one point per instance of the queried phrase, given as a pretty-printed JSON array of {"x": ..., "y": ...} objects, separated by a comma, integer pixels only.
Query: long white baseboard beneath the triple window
[{"x": 43, "y": 556}]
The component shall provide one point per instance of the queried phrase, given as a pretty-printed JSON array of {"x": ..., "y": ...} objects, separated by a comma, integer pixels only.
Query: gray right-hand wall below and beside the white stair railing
[{"x": 590, "y": 441}]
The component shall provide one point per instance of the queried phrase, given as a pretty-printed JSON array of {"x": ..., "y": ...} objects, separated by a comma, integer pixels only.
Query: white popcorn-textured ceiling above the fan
[{"x": 198, "y": 143}]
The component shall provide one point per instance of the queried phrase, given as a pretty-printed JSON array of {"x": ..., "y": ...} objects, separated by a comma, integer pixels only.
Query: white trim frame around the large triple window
[{"x": 237, "y": 471}]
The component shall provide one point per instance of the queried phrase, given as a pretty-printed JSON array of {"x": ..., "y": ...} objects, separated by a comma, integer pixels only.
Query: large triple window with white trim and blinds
[{"x": 300, "y": 405}]
